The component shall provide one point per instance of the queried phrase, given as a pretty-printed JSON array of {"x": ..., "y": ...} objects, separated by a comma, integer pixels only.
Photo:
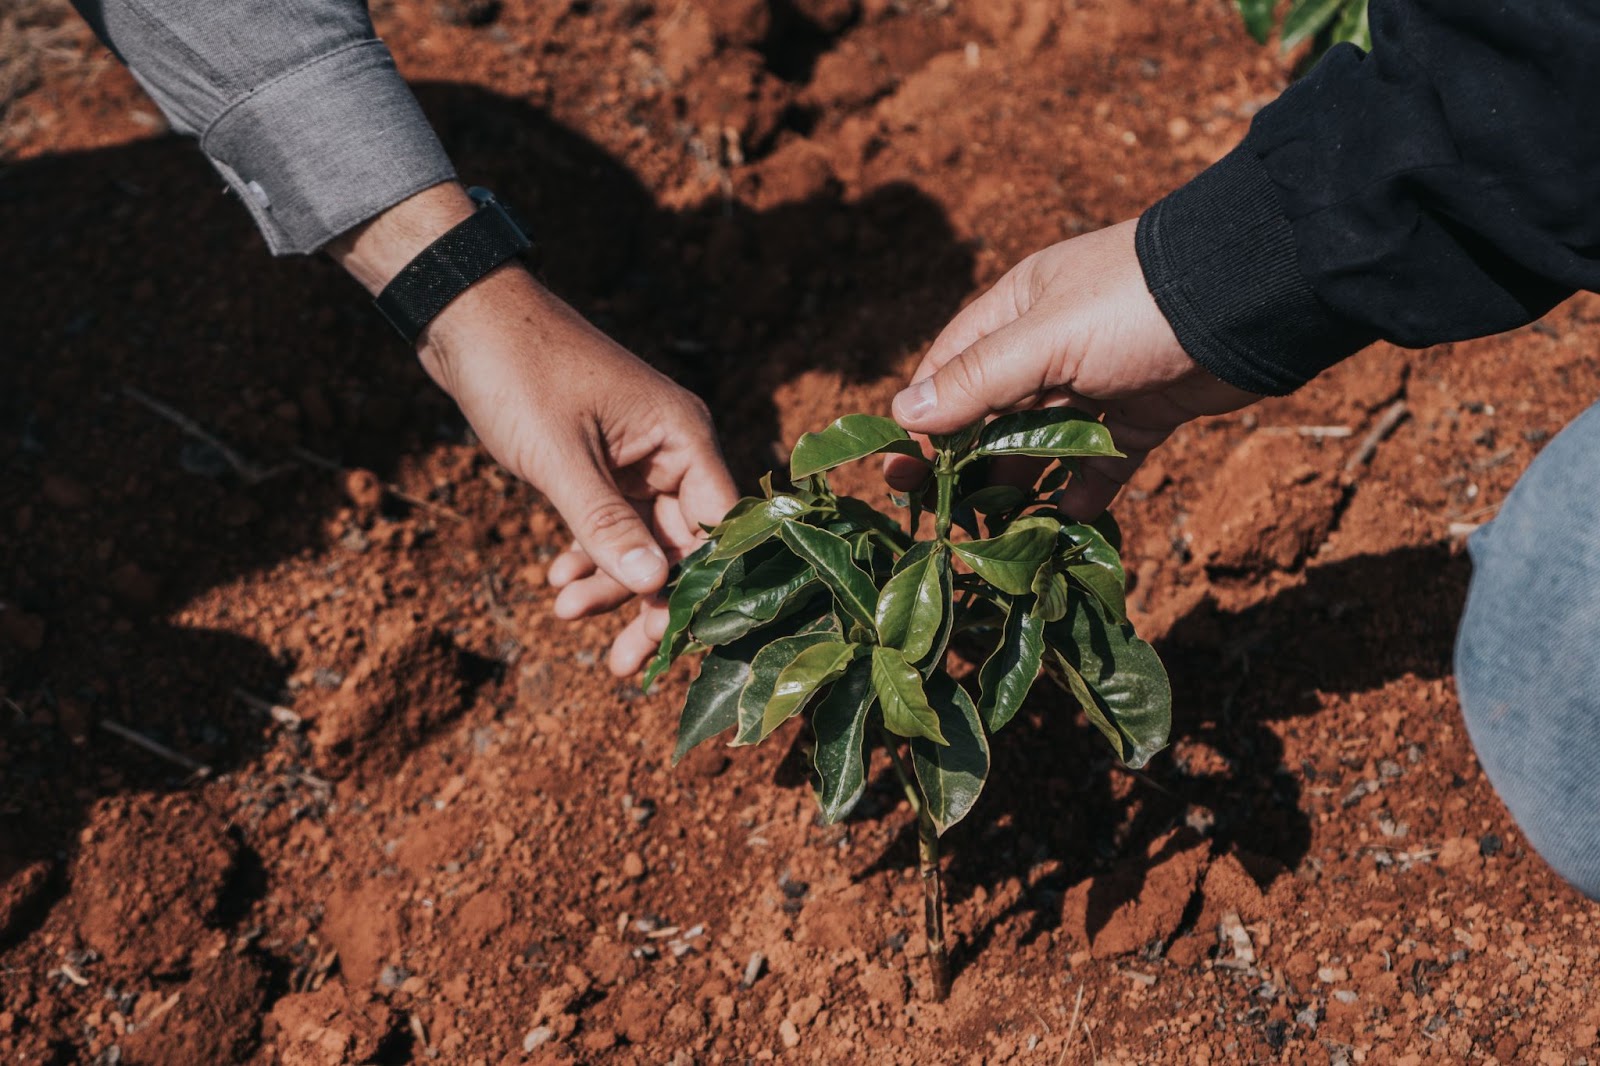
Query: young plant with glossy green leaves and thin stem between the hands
[{"x": 817, "y": 604}]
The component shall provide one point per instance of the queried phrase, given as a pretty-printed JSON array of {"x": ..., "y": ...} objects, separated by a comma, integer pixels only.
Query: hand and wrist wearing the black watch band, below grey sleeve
[{"x": 625, "y": 455}]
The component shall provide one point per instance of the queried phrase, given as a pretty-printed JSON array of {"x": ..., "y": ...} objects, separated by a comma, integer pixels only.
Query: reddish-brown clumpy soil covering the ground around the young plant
[{"x": 474, "y": 844}]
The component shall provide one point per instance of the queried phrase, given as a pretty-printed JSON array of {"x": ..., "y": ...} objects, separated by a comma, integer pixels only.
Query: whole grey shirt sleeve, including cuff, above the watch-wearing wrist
[{"x": 297, "y": 103}]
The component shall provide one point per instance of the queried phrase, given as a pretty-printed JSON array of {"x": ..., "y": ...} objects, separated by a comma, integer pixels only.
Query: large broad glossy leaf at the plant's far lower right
[{"x": 1122, "y": 675}]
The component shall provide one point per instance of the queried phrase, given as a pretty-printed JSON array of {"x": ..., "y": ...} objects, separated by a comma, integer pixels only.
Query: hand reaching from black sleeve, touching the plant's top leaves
[{"x": 1073, "y": 324}]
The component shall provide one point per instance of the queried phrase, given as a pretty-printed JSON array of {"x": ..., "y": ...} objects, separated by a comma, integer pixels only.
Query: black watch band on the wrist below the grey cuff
[{"x": 452, "y": 265}]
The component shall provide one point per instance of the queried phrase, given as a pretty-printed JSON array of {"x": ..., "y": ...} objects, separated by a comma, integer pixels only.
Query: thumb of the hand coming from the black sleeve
[{"x": 996, "y": 374}]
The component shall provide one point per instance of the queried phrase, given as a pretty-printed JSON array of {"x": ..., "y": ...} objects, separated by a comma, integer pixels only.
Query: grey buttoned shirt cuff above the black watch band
[{"x": 327, "y": 148}]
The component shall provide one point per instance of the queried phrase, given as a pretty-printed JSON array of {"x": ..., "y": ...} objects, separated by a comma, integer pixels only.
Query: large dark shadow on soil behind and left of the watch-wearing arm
[{"x": 140, "y": 273}]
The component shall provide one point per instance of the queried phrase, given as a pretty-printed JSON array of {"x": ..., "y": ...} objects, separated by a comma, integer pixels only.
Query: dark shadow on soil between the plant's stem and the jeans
[{"x": 1055, "y": 791}]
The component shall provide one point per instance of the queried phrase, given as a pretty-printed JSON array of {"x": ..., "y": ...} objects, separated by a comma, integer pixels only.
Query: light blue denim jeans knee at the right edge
[{"x": 1529, "y": 652}]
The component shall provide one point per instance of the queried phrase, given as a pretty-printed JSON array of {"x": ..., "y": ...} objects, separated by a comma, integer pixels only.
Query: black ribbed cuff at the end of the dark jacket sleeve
[{"x": 1222, "y": 262}]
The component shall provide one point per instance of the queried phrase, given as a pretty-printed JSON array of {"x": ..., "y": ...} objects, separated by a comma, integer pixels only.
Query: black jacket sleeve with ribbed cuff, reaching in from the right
[{"x": 1444, "y": 186}]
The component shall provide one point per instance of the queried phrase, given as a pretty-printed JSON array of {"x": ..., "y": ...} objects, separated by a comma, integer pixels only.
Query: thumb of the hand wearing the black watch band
[{"x": 607, "y": 526}]
